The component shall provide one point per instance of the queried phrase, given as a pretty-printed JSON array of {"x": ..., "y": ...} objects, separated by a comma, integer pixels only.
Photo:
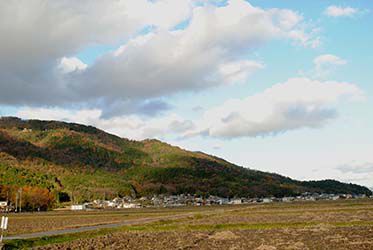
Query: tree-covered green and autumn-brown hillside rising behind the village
[{"x": 71, "y": 160}]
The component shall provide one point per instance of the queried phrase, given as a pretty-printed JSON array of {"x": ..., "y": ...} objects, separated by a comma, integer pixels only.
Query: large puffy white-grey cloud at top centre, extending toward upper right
[{"x": 208, "y": 52}]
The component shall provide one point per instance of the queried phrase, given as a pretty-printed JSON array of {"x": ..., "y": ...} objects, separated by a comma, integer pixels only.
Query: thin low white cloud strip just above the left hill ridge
[{"x": 129, "y": 126}]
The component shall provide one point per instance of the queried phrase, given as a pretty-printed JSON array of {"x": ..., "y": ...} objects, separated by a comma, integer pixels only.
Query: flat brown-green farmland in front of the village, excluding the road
[{"x": 308, "y": 225}]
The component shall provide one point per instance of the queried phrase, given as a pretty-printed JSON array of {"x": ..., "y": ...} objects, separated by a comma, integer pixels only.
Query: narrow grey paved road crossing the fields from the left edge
[{"x": 91, "y": 228}]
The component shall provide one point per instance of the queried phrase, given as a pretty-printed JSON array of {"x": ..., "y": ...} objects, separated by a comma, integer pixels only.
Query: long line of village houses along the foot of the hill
[{"x": 193, "y": 200}]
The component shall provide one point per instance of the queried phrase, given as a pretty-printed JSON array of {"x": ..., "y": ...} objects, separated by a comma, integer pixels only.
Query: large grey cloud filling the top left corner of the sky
[{"x": 36, "y": 34}]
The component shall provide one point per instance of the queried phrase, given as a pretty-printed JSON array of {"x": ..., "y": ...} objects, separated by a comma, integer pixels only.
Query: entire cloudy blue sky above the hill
[{"x": 279, "y": 86}]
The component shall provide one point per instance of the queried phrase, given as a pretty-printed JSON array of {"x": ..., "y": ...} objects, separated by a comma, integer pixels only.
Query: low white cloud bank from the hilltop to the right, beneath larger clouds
[{"x": 294, "y": 104}]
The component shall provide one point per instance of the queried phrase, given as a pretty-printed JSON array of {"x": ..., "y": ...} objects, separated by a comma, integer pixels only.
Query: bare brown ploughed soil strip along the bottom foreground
[{"x": 311, "y": 238}]
